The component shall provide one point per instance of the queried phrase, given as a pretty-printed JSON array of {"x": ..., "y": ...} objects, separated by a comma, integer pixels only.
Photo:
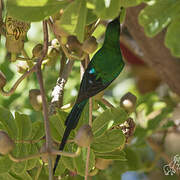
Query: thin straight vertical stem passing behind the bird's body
[{"x": 90, "y": 124}]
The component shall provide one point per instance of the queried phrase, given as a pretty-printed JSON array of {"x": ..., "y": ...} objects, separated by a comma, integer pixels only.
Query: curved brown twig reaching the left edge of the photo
[{"x": 11, "y": 91}]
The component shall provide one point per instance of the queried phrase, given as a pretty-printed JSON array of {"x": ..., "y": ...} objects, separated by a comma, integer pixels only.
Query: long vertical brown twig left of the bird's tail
[{"x": 44, "y": 103}]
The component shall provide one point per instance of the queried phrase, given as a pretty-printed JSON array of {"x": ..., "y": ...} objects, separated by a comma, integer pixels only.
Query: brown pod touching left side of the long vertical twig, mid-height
[{"x": 35, "y": 99}]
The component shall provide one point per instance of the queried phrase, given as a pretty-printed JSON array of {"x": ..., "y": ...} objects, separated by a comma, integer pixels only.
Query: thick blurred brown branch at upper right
[{"x": 155, "y": 53}]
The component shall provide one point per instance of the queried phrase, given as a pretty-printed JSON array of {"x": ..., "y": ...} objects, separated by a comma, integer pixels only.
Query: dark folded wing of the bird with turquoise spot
[{"x": 91, "y": 84}]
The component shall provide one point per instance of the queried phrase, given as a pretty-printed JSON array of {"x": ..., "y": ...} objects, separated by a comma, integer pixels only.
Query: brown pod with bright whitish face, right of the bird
[{"x": 128, "y": 102}]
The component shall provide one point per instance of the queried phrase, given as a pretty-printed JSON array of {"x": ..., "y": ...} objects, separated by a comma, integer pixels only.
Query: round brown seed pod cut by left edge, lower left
[{"x": 6, "y": 143}]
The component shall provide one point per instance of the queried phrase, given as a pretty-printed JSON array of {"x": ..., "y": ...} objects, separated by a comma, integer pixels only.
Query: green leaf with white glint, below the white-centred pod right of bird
[{"x": 107, "y": 119}]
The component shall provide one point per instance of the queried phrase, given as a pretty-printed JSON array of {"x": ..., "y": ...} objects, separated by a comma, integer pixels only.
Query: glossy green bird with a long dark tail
[{"x": 102, "y": 70}]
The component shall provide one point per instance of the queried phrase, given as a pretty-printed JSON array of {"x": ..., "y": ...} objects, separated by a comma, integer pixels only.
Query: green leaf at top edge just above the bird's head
[{"x": 107, "y": 9}]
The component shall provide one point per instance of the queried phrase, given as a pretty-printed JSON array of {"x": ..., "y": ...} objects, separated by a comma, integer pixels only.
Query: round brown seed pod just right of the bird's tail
[{"x": 84, "y": 136}]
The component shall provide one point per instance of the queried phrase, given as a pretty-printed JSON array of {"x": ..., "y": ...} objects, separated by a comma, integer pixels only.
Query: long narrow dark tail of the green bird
[{"x": 71, "y": 122}]
